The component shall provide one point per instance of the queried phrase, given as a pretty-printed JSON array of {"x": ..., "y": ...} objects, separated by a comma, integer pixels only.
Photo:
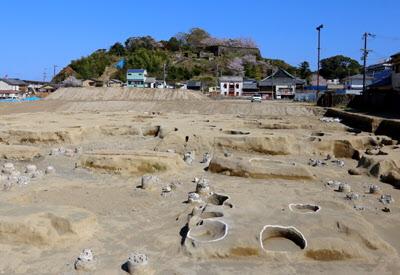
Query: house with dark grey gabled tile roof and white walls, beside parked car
[{"x": 280, "y": 85}]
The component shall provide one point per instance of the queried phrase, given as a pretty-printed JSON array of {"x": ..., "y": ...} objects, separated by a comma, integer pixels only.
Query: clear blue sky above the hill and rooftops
[{"x": 41, "y": 34}]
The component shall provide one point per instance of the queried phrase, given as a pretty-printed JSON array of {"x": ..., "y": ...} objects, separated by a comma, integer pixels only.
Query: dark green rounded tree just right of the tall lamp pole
[{"x": 338, "y": 67}]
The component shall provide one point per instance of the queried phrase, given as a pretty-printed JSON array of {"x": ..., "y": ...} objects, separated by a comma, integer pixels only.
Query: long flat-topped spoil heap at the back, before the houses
[{"x": 124, "y": 94}]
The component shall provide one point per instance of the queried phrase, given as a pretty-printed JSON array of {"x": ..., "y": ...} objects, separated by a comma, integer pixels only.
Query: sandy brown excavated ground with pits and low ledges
[{"x": 102, "y": 186}]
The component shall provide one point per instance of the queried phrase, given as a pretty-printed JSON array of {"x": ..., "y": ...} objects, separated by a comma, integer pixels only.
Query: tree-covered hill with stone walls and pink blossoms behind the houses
[{"x": 187, "y": 56}]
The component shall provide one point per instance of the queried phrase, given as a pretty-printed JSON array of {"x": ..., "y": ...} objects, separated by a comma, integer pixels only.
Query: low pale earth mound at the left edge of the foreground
[{"x": 39, "y": 224}]
